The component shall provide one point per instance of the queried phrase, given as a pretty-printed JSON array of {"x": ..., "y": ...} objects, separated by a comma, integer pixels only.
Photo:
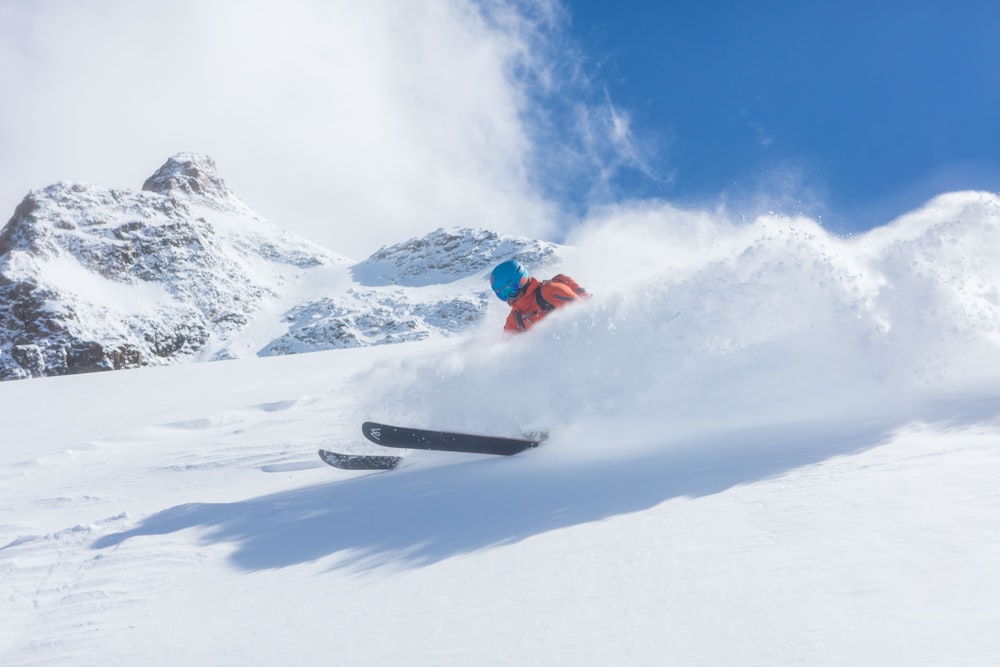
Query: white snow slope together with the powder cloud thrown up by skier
[{"x": 768, "y": 446}]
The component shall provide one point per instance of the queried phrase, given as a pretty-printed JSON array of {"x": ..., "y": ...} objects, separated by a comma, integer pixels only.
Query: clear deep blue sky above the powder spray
[{"x": 853, "y": 112}]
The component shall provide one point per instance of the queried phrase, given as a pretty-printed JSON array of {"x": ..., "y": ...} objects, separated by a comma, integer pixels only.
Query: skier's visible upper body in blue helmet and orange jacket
[{"x": 531, "y": 299}]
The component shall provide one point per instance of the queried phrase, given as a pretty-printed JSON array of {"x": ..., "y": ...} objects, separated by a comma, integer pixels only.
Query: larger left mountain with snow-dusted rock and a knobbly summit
[{"x": 93, "y": 278}]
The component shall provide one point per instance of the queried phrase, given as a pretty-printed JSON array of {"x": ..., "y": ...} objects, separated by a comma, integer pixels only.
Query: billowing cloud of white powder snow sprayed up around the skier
[{"x": 781, "y": 320}]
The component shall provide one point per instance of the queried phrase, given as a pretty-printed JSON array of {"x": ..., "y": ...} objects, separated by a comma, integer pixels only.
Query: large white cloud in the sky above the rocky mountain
[{"x": 396, "y": 117}]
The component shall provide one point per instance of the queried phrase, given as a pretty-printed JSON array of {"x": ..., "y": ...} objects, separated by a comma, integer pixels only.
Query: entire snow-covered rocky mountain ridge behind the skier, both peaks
[{"x": 95, "y": 279}]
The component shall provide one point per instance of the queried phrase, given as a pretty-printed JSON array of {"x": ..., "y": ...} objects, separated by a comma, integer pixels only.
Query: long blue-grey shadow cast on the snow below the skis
[{"x": 420, "y": 515}]
